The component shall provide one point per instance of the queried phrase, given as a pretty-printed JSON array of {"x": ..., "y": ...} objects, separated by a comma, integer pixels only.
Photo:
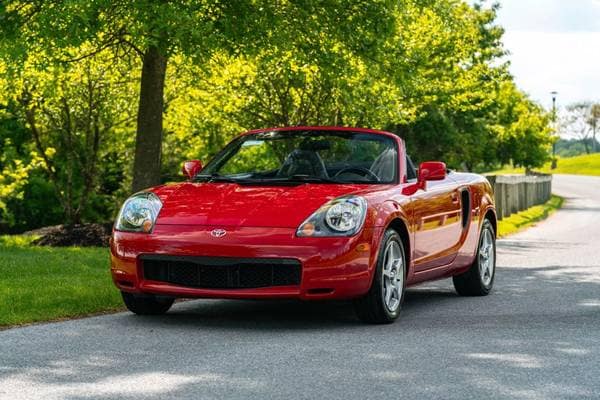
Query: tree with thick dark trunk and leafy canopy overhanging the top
[{"x": 155, "y": 30}]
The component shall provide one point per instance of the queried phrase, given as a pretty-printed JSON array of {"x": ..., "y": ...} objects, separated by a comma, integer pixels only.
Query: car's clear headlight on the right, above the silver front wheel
[{"x": 343, "y": 216}]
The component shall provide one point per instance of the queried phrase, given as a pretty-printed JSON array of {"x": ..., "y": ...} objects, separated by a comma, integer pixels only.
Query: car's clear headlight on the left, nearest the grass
[{"x": 139, "y": 213}]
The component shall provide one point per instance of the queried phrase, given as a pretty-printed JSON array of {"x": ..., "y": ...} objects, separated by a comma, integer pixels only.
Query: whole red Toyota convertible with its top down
[{"x": 310, "y": 213}]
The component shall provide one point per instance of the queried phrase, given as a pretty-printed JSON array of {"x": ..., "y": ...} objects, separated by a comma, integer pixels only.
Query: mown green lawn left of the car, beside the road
[{"x": 46, "y": 283}]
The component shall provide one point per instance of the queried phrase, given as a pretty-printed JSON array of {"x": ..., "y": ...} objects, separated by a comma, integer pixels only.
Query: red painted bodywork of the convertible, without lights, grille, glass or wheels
[{"x": 441, "y": 232}]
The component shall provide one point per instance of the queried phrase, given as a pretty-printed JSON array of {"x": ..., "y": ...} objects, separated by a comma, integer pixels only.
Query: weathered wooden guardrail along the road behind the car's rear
[{"x": 516, "y": 193}]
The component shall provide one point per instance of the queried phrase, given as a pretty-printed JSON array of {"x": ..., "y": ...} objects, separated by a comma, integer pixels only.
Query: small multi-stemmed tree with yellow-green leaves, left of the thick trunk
[{"x": 71, "y": 112}]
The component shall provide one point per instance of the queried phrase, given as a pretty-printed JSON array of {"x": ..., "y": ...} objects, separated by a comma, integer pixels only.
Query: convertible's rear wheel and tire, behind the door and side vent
[{"x": 479, "y": 279}]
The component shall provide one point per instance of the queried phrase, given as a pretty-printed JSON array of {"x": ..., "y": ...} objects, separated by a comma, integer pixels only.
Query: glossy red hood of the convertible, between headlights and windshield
[{"x": 232, "y": 205}]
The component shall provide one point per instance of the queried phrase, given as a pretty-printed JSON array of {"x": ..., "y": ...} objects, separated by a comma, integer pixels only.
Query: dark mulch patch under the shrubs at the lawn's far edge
[{"x": 85, "y": 235}]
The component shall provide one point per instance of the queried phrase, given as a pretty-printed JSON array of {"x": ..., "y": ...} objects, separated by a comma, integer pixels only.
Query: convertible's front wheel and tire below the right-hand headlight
[{"x": 381, "y": 305}]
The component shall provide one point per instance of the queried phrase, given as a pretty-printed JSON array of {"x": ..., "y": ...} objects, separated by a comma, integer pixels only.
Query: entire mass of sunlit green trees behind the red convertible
[{"x": 97, "y": 94}]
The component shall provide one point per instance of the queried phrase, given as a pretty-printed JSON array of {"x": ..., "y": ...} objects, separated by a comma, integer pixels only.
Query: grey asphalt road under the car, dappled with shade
[{"x": 536, "y": 337}]
